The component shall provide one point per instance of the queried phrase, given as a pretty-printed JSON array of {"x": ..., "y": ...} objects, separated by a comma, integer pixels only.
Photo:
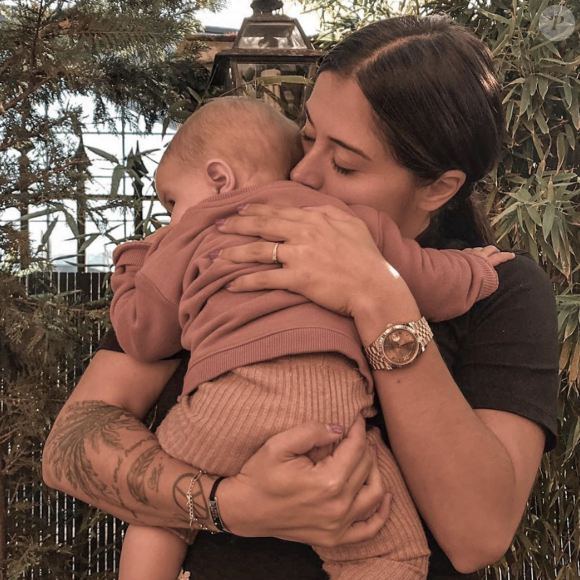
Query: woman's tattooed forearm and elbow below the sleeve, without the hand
[{"x": 100, "y": 452}]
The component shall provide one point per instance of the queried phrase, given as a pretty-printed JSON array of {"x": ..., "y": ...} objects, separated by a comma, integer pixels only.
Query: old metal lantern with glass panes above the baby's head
[{"x": 271, "y": 56}]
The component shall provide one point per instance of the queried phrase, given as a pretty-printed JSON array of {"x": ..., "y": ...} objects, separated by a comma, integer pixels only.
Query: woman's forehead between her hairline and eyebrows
[{"x": 338, "y": 109}]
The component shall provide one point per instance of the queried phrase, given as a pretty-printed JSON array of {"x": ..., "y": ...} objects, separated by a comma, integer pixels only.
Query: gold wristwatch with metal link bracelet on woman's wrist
[{"x": 399, "y": 345}]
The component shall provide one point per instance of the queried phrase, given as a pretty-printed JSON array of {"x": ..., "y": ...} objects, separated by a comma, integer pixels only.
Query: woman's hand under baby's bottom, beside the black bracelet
[{"x": 280, "y": 492}]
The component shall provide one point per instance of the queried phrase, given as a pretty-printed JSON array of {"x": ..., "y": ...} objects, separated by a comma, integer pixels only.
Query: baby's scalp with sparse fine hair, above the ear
[{"x": 258, "y": 142}]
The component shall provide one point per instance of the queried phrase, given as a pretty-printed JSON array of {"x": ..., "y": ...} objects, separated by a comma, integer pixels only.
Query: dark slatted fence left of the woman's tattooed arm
[{"x": 89, "y": 541}]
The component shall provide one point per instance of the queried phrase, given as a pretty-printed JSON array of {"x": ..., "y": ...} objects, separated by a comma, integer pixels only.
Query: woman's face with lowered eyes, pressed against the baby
[{"x": 345, "y": 158}]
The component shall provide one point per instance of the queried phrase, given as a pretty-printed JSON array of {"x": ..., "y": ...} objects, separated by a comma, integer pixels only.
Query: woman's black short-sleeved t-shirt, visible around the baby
[{"x": 503, "y": 354}]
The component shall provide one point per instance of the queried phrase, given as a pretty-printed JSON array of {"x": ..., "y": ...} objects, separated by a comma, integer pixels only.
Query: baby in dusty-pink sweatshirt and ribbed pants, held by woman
[{"x": 265, "y": 361}]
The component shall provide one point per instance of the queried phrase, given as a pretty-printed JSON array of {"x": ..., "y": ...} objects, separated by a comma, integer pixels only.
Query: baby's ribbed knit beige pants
[{"x": 225, "y": 421}]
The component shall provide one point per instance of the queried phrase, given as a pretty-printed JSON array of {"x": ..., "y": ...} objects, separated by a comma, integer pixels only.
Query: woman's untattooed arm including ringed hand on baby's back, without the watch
[{"x": 470, "y": 472}]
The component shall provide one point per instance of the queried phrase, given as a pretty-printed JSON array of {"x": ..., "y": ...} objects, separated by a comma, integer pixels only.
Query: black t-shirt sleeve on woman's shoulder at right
[{"x": 509, "y": 360}]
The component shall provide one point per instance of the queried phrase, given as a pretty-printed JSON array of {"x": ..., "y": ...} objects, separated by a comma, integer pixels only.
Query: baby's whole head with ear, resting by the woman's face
[{"x": 229, "y": 143}]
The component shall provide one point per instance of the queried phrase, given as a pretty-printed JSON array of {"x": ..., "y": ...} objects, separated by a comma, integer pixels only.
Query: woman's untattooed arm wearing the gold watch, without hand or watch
[{"x": 470, "y": 472}]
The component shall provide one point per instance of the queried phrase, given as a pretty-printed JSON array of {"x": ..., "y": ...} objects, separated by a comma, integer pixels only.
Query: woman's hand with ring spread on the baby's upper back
[{"x": 328, "y": 255}]
